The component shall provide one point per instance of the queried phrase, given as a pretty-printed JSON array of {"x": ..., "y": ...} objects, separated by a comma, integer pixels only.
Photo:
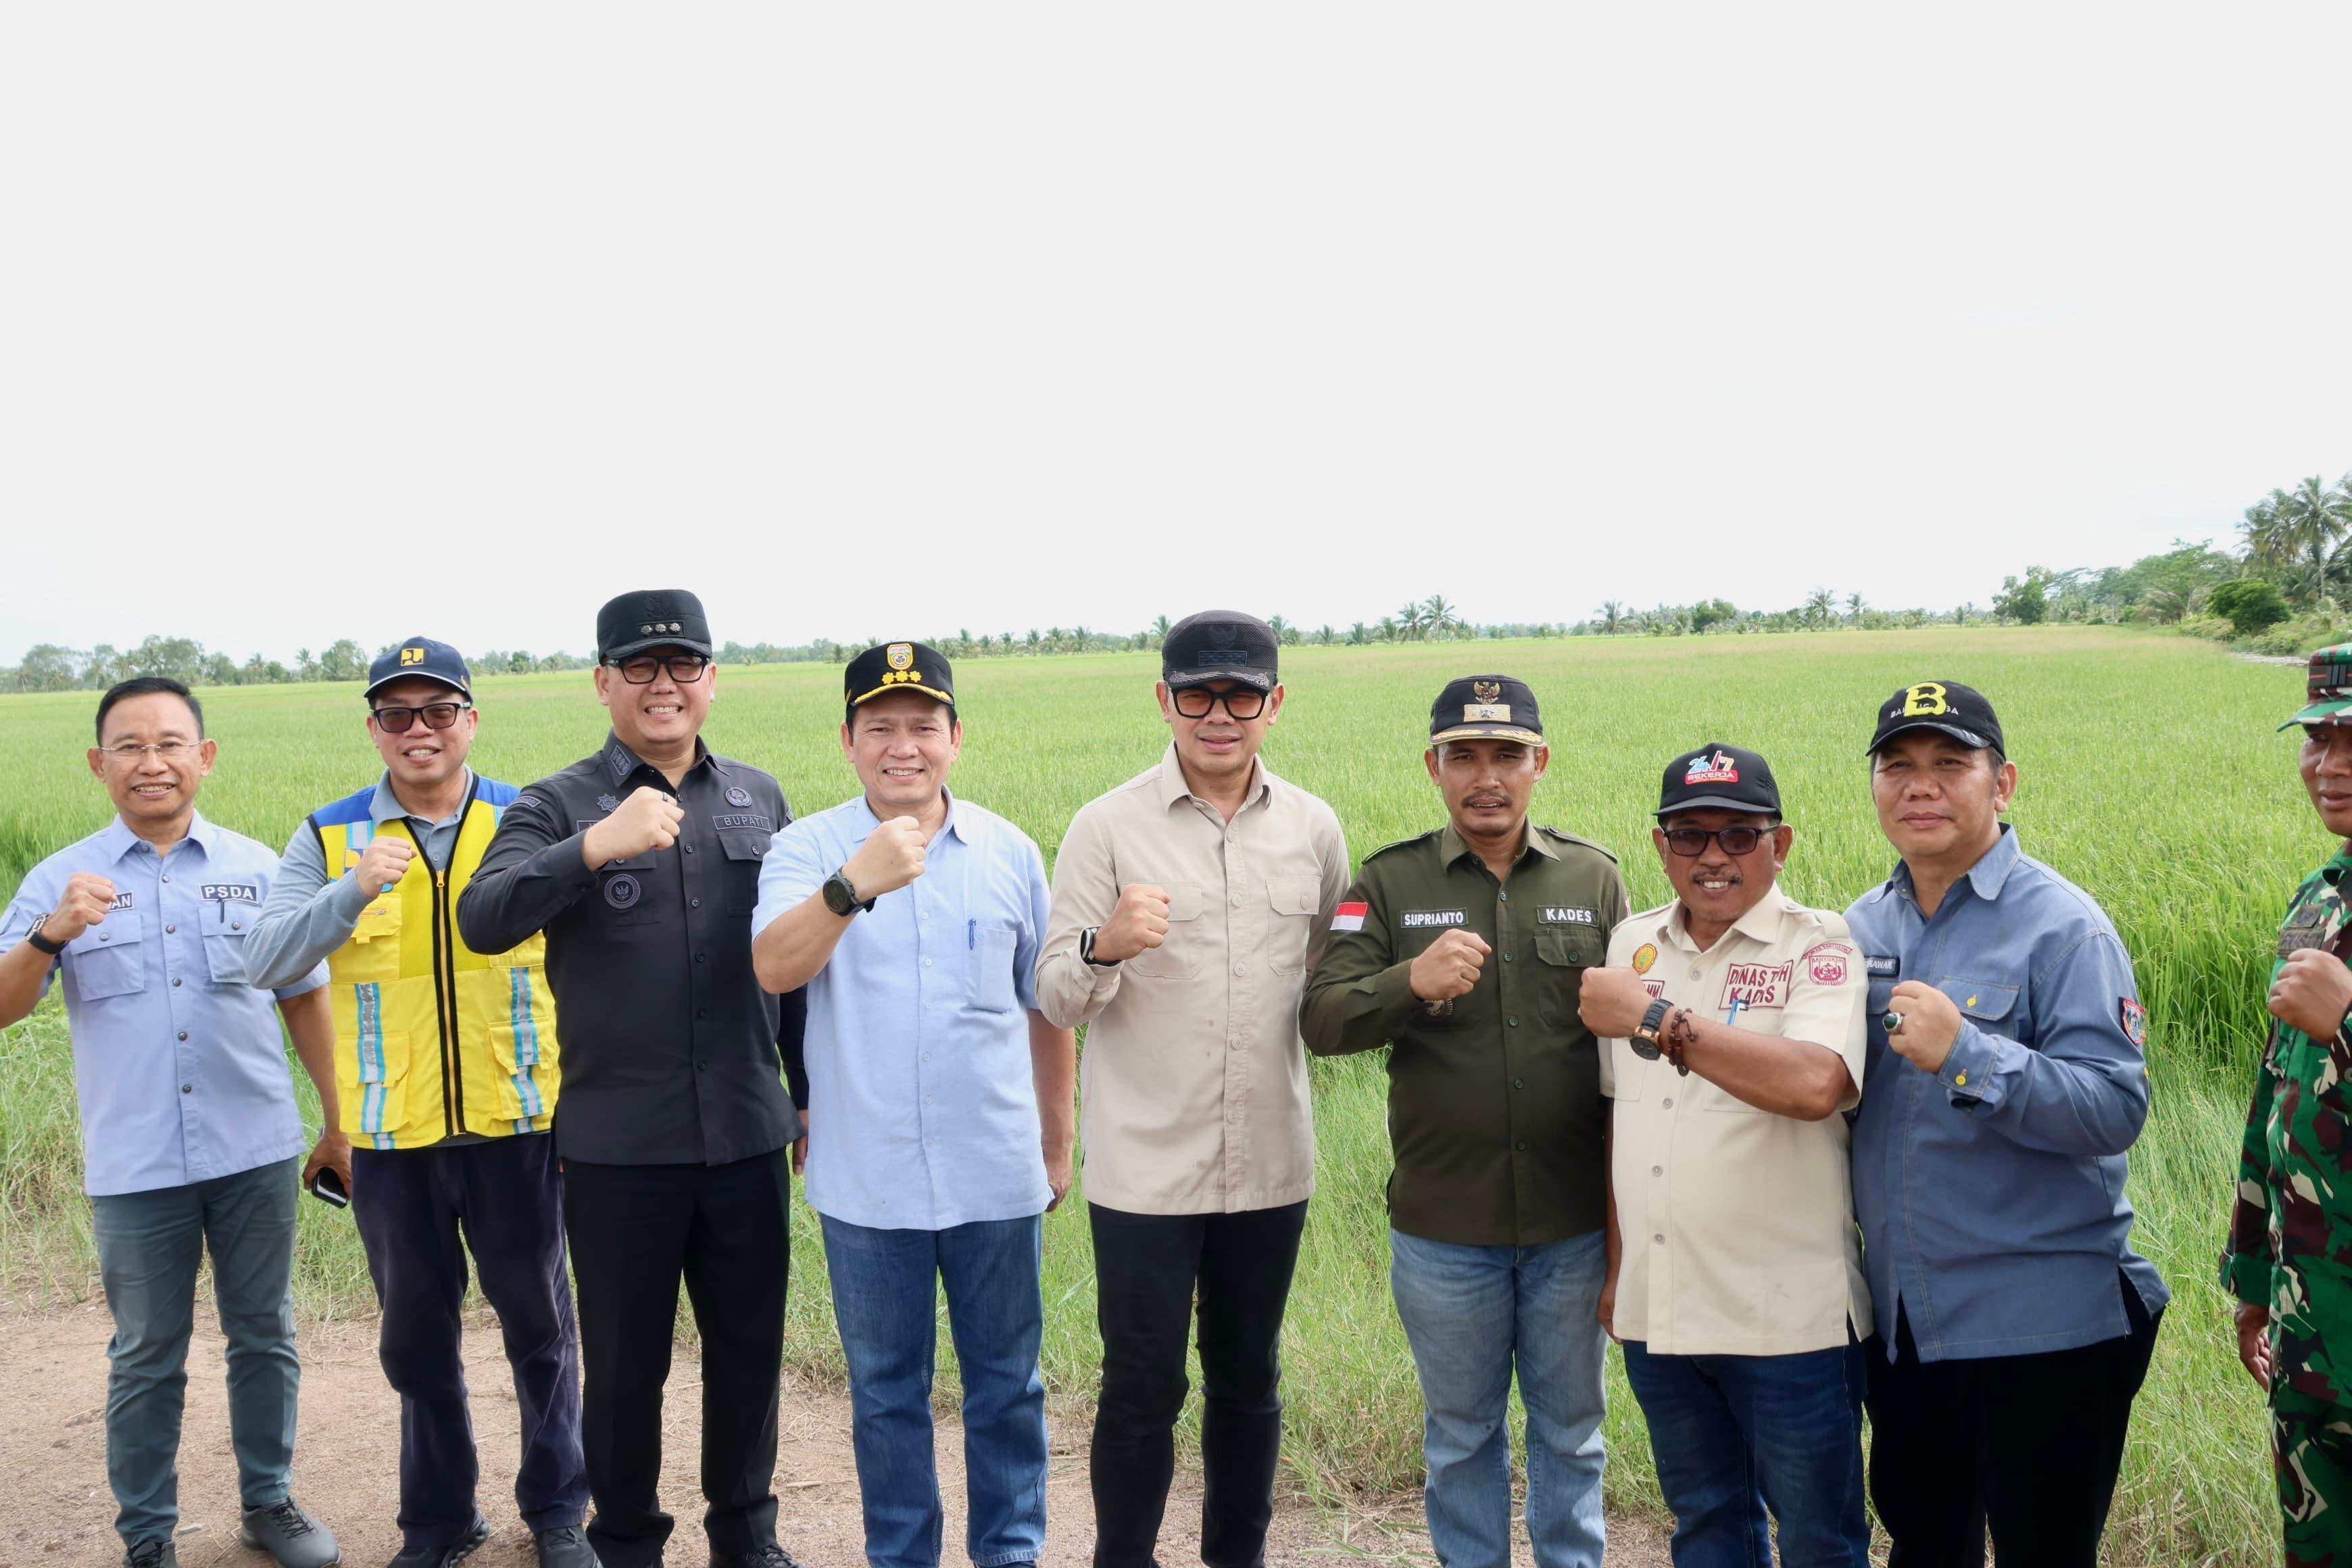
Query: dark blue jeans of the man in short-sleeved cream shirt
[{"x": 1744, "y": 1435}]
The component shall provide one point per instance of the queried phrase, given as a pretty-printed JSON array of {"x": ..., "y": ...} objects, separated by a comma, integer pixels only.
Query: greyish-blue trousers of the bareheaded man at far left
[{"x": 149, "y": 1249}]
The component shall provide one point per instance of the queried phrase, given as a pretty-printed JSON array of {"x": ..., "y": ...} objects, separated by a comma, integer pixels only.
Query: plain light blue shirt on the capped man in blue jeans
[{"x": 923, "y": 1106}]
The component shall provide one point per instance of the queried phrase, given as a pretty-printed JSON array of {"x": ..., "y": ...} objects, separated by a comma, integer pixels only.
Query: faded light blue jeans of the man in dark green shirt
[{"x": 1476, "y": 1315}]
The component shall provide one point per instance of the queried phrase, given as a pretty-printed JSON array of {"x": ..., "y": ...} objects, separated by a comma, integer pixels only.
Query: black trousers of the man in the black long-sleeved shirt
[{"x": 636, "y": 1233}]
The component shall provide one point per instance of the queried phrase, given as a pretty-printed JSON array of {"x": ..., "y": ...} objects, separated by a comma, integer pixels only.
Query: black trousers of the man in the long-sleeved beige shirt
[{"x": 1147, "y": 1271}]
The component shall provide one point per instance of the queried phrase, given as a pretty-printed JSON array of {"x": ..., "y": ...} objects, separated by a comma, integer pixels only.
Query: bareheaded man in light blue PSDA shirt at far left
[{"x": 189, "y": 1125}]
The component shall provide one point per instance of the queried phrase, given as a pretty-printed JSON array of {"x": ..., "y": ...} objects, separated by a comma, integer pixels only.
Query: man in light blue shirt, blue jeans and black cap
[{"x": 940, "y": 1106}]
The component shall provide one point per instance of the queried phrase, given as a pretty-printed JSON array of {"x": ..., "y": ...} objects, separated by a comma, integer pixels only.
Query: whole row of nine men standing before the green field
[{"x": 1800, "y": 1162}]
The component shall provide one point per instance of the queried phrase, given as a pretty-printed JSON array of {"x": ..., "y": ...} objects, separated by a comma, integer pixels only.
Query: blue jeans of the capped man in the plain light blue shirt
[{"x": 886, "y": 1306}]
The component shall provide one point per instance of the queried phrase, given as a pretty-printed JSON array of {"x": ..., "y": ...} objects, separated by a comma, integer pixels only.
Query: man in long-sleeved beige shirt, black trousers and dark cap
[{"x": 1189, "y": 906}]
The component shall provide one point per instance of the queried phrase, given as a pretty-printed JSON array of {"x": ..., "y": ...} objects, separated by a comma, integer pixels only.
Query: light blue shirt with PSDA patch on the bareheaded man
[{"x": 178, "y": 1059}]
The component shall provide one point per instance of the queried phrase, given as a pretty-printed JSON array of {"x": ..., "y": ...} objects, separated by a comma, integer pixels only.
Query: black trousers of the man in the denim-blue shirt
[{"x": 2024, "y": 1445}]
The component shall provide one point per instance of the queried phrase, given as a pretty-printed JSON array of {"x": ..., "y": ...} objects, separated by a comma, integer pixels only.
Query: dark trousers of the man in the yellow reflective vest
[{"x": 420, "y": 1212}]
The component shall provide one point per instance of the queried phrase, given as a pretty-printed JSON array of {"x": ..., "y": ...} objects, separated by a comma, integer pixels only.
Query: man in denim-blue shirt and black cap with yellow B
[{"x": 2014, "y": 1322}]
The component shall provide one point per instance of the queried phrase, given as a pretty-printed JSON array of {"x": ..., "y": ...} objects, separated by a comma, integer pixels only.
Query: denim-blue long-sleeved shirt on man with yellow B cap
[{"x": 1991, "y": 1193}]
